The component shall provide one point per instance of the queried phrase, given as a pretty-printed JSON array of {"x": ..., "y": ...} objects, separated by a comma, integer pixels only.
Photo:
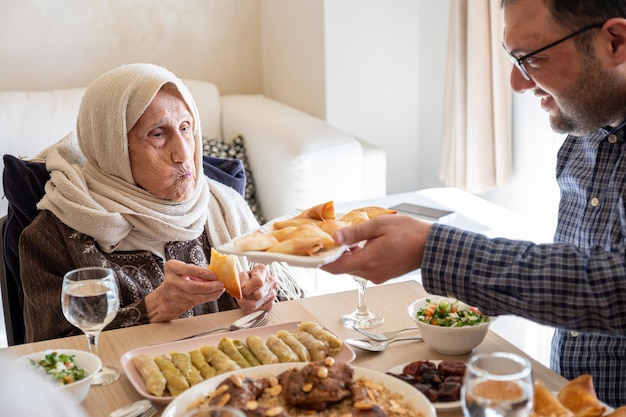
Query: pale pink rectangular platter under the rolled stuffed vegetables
[{"x": 346, "y": 354}]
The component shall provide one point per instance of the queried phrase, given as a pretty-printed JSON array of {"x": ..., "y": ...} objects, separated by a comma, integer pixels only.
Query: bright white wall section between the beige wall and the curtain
[{"x": 372, "y": 87}]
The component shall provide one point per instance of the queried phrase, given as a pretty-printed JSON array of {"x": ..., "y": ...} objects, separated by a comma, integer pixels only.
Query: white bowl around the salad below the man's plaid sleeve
[{"x": 448, "y": 340}]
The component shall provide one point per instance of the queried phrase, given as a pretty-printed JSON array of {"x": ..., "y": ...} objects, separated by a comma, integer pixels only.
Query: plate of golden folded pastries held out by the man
[{"x": 302, "y": 238}]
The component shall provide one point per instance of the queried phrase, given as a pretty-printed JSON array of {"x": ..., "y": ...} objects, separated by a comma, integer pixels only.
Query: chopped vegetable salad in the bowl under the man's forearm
[{"x": 450, "y": 314}]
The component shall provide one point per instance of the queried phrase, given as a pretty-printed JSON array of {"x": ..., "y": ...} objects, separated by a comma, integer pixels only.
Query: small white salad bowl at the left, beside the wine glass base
[{"x": 77, "y": 390}]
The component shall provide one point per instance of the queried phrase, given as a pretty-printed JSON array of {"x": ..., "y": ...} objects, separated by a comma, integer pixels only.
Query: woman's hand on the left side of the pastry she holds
[{"x": 184, "y": 286}]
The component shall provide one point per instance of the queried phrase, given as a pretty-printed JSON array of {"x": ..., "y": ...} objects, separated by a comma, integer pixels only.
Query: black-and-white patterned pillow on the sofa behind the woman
[{"x": 236, "y": 149}]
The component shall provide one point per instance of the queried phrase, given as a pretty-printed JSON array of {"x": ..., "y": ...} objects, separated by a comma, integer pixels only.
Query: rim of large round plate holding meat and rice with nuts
[{"x": 177, "y": 407}]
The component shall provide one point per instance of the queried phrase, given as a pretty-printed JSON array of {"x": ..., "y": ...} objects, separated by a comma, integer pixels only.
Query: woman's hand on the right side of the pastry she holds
[{"x": 258, "y": 287}]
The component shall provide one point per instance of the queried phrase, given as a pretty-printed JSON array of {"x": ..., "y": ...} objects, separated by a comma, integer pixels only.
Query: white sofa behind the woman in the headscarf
[{"x": 297, "y": 160}]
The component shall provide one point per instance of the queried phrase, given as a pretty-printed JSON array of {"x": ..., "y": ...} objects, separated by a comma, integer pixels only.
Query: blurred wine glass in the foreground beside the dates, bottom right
[{"x": 498, "y": 385}]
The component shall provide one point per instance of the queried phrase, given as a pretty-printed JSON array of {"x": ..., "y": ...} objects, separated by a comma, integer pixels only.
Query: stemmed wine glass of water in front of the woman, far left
[{"x": 90, "y": 301}]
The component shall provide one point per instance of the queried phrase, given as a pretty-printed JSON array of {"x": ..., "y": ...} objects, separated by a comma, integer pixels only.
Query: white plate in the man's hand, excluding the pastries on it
[{"x": 314, "y": 261}]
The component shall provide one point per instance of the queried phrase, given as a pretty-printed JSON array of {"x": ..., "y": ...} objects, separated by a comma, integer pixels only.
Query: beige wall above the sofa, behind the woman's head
[{"x": 53, "y": 44}]
